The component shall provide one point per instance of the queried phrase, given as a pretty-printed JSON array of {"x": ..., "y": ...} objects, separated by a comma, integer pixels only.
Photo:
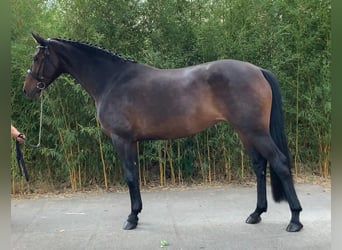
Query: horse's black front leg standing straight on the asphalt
[{"x": 127, "y": 152}]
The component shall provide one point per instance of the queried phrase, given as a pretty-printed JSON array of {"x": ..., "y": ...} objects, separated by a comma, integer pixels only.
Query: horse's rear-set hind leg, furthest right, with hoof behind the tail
[{"x": 278, "y": 163}]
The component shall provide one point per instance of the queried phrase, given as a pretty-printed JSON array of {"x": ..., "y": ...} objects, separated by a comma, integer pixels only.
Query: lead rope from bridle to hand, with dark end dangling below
[{"x": 20, "y": 159}]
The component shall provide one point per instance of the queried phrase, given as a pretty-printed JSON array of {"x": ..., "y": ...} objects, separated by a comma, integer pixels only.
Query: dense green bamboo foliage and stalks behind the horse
[{"x": 292, "y": 39}]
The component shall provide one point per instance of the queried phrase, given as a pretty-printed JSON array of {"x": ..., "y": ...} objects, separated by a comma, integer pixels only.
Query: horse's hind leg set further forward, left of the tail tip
[{"x": 259, "y": 166}]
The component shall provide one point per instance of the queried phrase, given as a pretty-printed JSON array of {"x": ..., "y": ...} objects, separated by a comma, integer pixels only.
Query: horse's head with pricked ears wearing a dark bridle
[{"x": 44, "y": 68}]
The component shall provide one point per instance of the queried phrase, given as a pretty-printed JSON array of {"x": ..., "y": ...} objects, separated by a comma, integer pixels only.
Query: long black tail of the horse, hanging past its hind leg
[{"x": 277, "y": 131}]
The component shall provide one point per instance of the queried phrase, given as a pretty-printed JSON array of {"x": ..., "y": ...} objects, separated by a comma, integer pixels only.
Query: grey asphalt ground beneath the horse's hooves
[{"x": 198, "y": 218}]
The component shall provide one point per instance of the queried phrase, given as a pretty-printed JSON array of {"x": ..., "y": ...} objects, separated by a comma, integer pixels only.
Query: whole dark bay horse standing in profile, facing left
[{"x": 139, "y": 102}]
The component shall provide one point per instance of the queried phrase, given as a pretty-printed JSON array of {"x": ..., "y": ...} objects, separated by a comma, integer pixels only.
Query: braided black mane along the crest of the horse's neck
[{"x": 95, "y": 47}]
